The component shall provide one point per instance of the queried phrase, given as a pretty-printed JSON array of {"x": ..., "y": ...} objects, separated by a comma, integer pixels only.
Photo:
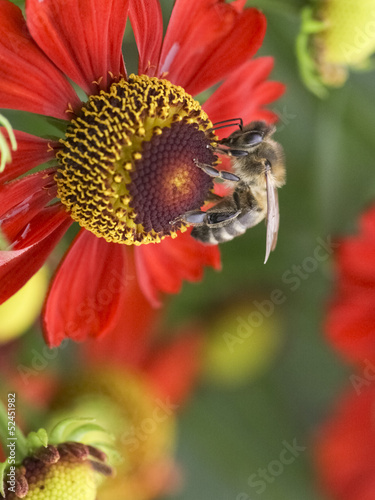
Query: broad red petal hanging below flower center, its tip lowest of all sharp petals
[{"x": 87, "y": 290}]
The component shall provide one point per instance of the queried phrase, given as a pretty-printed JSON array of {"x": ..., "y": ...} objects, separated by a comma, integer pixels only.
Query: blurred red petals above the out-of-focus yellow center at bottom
[{"x": 171, "y": 366}]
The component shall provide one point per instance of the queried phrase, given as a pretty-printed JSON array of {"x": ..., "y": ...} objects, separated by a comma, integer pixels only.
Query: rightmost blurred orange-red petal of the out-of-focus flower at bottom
[{"x": 173, "y": 368}]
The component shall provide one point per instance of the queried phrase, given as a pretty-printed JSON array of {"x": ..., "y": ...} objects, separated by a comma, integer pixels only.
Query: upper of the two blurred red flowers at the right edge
[{"x": 350, "y": 324}]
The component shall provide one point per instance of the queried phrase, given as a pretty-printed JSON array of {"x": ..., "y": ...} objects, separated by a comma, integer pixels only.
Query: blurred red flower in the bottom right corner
[{"x": 346, "y": 448}]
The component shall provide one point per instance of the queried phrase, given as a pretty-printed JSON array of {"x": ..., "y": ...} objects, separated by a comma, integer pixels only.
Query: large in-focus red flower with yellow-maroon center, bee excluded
[{"x": 111, "y": 174}]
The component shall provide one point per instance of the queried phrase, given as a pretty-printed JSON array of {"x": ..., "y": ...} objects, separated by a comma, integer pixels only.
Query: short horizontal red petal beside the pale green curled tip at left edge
[{"x": 31, "y": 152}]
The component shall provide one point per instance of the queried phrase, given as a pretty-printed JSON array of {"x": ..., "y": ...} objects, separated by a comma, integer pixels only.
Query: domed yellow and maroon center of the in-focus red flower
[{"x": 126, "y": 168}]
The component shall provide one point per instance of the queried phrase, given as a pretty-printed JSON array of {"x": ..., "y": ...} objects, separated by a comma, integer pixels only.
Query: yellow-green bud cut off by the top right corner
[{"x": 336, "y": 35}]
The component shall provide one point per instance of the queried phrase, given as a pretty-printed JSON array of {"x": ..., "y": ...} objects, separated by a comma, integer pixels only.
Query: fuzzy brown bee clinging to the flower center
[{"x": 258, "y": 165}]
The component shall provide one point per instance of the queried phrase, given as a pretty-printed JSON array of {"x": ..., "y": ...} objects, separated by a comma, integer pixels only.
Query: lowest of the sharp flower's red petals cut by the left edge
[{"x": 39, "y": 238}]
